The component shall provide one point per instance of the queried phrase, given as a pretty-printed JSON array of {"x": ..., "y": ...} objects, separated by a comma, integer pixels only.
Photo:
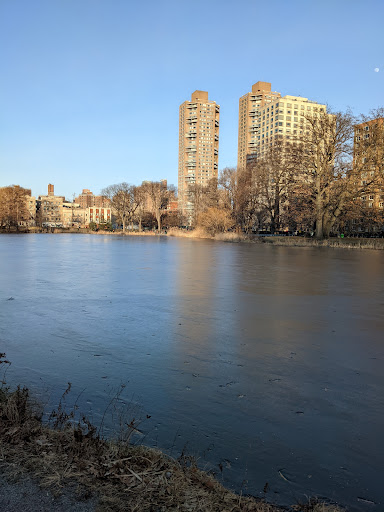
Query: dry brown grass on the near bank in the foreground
[{"x": 123, "y": 477}]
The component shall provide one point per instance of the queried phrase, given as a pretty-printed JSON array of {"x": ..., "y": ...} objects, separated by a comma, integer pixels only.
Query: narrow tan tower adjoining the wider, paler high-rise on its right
[{"x": 249, "y": 119}]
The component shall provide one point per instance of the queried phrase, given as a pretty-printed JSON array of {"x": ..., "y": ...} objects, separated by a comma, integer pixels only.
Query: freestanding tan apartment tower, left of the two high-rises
[{"x": 198, "y": 145}]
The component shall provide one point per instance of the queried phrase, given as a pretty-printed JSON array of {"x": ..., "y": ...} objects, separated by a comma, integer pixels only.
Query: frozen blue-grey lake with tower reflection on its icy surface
[{"x": 266, "y": 362}]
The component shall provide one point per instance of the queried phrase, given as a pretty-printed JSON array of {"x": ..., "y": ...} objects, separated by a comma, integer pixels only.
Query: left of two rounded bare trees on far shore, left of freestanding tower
[{"x": 124, "y": 201}]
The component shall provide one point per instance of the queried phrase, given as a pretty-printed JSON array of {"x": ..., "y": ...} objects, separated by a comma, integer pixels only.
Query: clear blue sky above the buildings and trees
[{"x": 90, "y": 89}]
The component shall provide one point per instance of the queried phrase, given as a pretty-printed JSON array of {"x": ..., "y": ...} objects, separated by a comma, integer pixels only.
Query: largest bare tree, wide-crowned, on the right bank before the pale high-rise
[{"x": 328, "y": 168}]
